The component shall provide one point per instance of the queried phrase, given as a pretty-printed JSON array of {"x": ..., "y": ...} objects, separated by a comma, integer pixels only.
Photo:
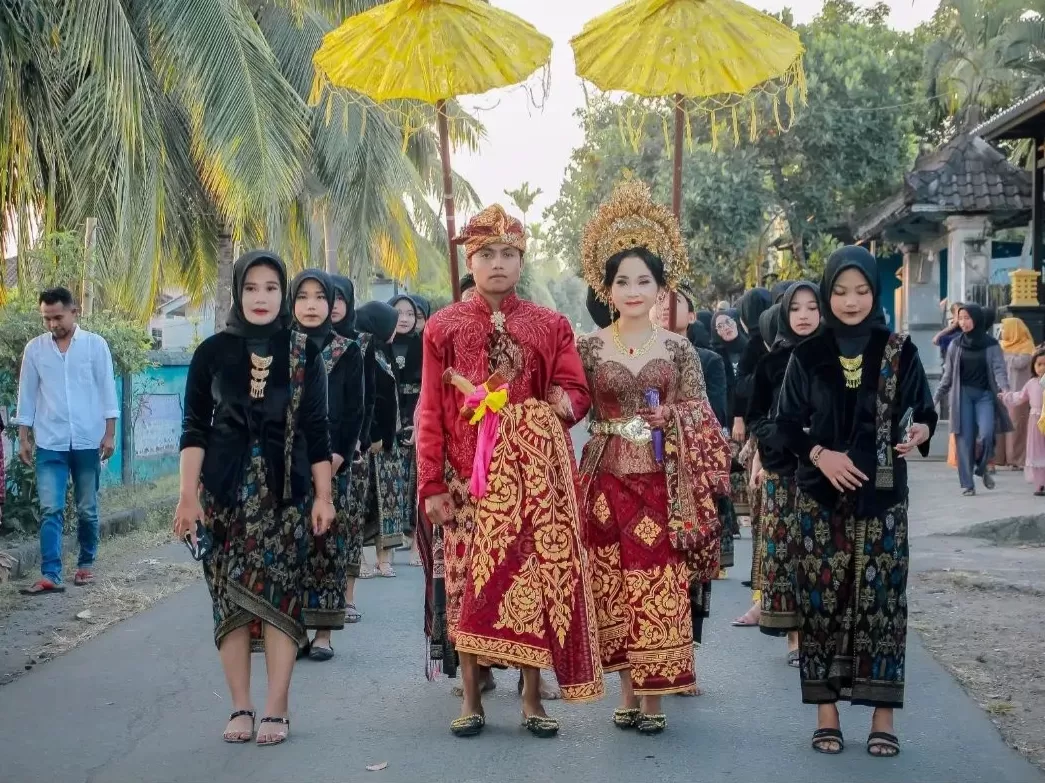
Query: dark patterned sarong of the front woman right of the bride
[{"x": 852, "y": 579}]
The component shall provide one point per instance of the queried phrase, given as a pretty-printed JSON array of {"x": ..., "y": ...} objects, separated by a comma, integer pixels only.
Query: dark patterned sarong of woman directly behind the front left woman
[{"x": 327, "y": 575}]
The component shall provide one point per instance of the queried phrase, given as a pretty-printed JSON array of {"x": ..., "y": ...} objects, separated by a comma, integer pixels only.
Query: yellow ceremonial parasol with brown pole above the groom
[{"x": 432, "y": 51}]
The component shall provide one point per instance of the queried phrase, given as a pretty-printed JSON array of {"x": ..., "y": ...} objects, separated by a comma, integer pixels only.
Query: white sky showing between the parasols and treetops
[{"x": 527, "y": 145}]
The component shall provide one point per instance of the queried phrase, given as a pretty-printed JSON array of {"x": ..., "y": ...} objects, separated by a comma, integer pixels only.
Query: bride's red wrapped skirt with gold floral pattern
[{"x": 641, "y": 585}]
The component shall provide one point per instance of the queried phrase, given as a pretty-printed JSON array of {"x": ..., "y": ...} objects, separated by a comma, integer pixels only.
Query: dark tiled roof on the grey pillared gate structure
[{"x": 966, "y": 176}]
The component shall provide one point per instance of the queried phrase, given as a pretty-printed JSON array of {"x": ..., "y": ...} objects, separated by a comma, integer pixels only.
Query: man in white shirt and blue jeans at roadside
[{"x": 67, "y": 397}]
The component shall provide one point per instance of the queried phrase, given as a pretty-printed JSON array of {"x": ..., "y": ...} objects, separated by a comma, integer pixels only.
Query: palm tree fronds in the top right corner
[{"x": 988, "y": 54}]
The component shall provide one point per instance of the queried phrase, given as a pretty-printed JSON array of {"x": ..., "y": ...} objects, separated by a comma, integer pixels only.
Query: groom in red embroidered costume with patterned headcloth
[{"x": 502, "y": 385}]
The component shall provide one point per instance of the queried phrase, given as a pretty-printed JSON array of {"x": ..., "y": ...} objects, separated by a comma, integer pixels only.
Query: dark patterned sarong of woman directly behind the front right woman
[{"x": 778, "y": 542}]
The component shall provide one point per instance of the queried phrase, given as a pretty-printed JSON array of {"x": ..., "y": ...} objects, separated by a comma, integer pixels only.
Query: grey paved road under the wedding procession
[{"x": 138, "y": 705}]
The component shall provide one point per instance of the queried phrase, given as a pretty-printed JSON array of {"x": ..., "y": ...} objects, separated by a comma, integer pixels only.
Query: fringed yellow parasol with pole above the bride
[{"x": 721, "y": 55}]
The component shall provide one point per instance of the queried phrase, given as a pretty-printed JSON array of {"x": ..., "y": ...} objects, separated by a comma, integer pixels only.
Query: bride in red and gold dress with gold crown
[{"x": 656, "y": 465}]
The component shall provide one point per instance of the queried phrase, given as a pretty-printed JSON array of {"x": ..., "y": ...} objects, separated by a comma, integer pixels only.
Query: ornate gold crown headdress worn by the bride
[{"x": 631, "y": 219}]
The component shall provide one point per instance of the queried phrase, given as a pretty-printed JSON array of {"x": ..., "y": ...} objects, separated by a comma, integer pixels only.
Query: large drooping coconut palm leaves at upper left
[{"x": 183, "y": 127}]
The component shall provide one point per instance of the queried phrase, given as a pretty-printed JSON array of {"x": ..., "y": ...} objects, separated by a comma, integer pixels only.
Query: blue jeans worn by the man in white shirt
[{"x": 54, "y": 470}]
